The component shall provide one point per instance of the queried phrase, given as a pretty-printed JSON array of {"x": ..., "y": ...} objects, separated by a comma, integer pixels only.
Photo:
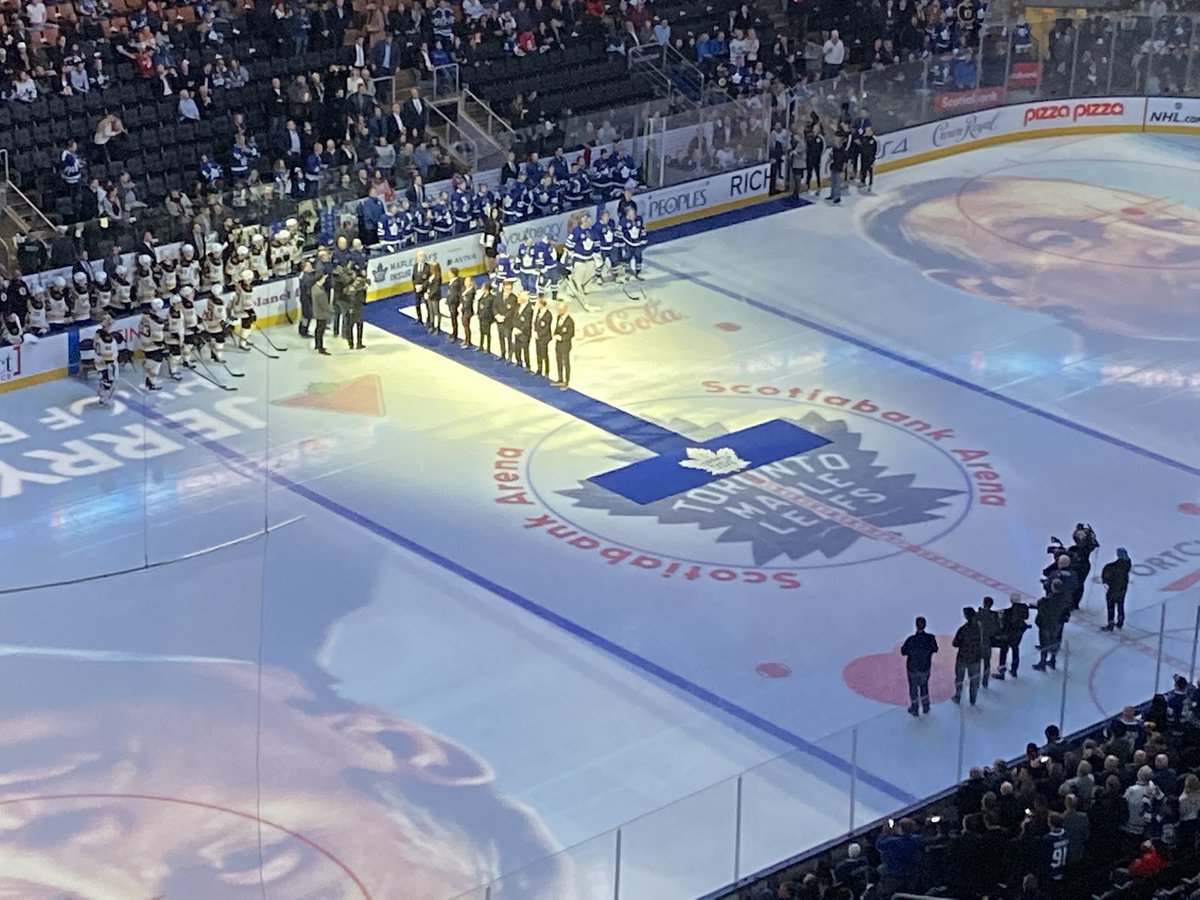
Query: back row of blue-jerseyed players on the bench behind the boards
[{"x": 406, "y": 224}]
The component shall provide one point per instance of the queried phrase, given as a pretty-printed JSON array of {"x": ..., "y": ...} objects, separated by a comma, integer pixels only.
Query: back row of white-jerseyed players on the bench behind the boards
[{"x": 83, "y": 301}]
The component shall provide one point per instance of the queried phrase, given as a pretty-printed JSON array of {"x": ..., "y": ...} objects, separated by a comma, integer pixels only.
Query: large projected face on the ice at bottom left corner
[{"x": 153, "y": 793}]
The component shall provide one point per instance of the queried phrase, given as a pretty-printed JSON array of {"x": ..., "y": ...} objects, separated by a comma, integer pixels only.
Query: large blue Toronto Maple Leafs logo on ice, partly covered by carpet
[{"x": 842, "y": 475}]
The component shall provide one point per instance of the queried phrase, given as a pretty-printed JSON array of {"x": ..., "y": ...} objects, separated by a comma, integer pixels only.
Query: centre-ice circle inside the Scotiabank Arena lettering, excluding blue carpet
[{"x": 881, "y": 475}]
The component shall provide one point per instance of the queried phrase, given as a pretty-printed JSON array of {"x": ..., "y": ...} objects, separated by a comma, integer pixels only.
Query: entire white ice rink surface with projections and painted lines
[{"x": 452, "y": 655}]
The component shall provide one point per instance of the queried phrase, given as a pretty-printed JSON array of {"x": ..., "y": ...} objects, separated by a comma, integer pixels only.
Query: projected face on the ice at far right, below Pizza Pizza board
[{"x": 1103, "y": 260}]
